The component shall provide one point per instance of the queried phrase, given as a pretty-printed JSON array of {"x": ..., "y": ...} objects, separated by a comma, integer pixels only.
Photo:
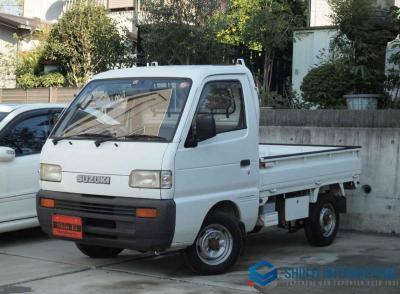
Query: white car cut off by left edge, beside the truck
[{"x": 24, "y": 129}]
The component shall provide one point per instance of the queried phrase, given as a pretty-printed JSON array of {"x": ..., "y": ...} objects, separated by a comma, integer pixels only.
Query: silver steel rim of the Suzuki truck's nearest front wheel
[{"x": 214, "y": 244}]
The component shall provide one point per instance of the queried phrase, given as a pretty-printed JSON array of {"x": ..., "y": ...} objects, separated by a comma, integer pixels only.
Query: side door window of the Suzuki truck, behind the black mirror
[{"x": 224, "y": 101}]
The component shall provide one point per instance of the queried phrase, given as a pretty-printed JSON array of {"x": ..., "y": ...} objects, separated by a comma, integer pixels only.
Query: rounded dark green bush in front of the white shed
[{"x": 326, "y": 84}]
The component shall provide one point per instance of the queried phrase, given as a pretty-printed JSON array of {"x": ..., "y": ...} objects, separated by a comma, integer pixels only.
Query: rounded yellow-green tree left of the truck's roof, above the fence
[{"x": 86, "y": 41}]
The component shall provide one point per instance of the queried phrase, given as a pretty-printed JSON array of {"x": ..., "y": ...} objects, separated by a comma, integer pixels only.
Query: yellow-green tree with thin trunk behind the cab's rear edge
[{"x": 265, "y": 25}]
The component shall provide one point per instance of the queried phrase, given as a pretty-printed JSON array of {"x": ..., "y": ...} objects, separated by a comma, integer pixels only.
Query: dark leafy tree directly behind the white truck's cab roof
[{"x": 180, "y": 32}]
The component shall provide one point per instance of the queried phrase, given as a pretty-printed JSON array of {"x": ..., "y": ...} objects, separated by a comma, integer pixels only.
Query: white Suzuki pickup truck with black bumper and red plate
[{"x": 168, "y": 158}]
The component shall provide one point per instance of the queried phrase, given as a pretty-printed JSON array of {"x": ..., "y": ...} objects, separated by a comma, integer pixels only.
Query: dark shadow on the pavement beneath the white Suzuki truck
[{"x": 270, "y": 246}]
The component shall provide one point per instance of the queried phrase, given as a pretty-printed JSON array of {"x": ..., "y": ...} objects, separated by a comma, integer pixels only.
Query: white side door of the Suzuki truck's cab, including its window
[{"x": 224, "y": 167}]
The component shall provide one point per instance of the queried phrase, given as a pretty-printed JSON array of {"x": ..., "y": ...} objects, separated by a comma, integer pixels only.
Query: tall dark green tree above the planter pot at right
[{"x": 363, "y": 34}]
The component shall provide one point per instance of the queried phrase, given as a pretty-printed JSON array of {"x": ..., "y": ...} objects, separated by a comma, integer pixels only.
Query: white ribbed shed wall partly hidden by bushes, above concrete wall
[{"x": 307, "y": 47}]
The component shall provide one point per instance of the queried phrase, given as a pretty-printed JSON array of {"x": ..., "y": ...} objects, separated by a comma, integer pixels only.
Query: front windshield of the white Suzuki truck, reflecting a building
[{"x": 134, "y": 109}]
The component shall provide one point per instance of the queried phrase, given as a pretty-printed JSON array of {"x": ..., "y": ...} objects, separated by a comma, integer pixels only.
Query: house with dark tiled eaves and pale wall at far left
[{"x": 16, "y": 34}]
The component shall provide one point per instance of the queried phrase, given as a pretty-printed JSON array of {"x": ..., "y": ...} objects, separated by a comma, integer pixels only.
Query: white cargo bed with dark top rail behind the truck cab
[{"x": 290, "y": 168}]
